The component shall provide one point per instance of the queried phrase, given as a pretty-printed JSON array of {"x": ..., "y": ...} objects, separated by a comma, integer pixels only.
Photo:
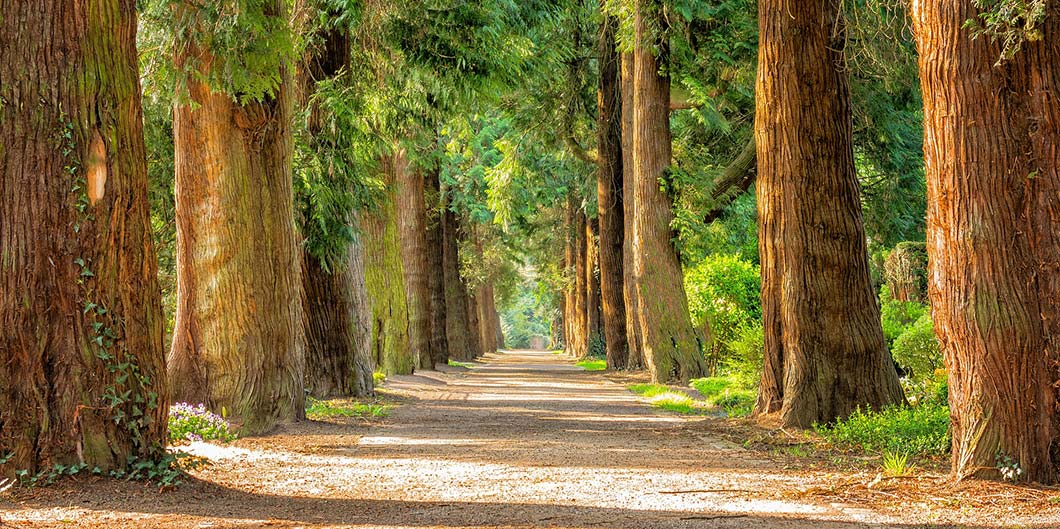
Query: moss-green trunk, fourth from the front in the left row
[{"x": 385, "y": 279}]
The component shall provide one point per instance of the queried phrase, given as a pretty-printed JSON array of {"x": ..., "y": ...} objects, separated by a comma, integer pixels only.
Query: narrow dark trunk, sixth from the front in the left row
[{"x": 436, "y": 279}]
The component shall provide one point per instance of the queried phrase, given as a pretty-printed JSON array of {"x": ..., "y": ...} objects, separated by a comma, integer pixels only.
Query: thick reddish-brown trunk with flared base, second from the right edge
[{"x": 825, "y": 355}]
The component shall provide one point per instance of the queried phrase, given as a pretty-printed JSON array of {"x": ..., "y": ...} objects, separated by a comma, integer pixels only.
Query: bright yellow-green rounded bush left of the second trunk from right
[{"x": 723, "y": 298}]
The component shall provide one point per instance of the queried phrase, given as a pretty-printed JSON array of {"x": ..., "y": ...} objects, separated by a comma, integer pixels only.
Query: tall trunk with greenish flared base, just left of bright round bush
[{"x": 673, "y": 348}]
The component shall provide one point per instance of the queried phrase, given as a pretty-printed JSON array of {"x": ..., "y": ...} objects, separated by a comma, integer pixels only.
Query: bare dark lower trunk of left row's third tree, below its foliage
[{"x": 339, "y": 331}]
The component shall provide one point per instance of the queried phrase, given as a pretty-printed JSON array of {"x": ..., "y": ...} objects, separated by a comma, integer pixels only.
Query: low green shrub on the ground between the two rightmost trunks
[{"x": 922, "y": 430}]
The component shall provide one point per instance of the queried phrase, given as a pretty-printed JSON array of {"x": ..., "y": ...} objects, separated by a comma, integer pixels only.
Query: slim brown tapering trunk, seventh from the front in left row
[{"x": 457, "y": 323}]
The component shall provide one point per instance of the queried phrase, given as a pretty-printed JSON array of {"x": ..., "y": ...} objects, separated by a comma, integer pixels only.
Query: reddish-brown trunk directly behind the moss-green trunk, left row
[{"x": 413, "y": 224}]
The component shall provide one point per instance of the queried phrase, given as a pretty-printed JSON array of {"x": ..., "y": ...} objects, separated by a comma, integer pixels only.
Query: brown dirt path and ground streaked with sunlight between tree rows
[{"x": 525, "y": 439}]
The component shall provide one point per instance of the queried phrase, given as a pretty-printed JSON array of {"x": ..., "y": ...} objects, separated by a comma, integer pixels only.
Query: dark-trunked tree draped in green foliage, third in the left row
[{"x": 337, "y": 310}]
